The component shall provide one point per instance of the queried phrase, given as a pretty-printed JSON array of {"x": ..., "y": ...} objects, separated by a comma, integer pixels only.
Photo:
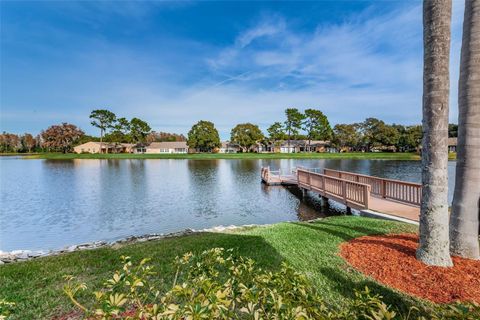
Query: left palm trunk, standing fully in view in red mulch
[{"x": 433, "y": 247}]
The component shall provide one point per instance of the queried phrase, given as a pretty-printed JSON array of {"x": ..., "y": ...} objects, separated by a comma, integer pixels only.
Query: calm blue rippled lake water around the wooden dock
[{"x": 49, "y": 204}]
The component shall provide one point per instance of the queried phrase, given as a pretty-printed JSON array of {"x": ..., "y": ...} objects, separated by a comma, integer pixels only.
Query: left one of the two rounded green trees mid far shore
[{"x": 203, "y": 136}]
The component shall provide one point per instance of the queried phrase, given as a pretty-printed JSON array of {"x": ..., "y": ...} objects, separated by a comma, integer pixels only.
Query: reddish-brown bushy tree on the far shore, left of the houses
[{"x": 61, "y": 137}]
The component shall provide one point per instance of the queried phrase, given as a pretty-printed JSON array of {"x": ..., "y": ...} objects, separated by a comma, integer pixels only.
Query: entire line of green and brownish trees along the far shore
[{"x": 310, "y": 125}]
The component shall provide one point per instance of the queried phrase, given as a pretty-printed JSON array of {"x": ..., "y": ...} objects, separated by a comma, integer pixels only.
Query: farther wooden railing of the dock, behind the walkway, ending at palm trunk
[{"x": 401, "y": 191}]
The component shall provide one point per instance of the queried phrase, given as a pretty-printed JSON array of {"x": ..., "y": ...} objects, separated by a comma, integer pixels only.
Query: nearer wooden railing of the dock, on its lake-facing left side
[{"x": 350, "y": 193}]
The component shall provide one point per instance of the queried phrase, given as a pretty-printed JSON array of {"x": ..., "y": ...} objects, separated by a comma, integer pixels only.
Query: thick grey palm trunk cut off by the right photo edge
[{"x": 465, "y": 209}]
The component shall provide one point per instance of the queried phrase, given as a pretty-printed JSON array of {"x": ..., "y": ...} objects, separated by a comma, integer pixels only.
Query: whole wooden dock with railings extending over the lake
[{"x": 371, "y": 195}]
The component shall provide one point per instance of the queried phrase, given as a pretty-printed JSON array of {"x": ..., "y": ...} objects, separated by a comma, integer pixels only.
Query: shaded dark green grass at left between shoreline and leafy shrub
[{"x": 36, "y": 286}]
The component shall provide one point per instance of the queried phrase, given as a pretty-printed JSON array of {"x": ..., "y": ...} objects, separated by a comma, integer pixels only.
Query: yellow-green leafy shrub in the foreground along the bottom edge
[{"x": 218, "y": 285}]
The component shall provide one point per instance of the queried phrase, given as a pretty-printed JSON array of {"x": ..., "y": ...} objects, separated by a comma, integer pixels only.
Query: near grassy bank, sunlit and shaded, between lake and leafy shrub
[{"x": 36, "y": 286}]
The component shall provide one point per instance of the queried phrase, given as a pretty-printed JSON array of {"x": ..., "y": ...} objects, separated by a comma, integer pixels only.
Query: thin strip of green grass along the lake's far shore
[{"x": 209, "y": 156}]
